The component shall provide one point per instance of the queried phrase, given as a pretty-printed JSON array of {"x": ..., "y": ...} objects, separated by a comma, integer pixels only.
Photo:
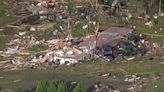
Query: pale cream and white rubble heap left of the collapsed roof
[{"x": 65, "y": 56}]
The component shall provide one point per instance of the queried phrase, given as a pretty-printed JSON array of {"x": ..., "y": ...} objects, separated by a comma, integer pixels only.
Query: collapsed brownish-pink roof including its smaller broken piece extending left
[{"x": 111, "y": 36}]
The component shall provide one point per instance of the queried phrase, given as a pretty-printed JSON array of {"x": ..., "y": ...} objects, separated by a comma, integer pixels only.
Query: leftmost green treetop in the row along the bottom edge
[{"x": 42, "y": 86}]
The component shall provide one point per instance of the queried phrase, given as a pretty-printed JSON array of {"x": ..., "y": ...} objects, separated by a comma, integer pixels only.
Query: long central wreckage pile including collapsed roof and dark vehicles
[{"x": 108, "y": 44}]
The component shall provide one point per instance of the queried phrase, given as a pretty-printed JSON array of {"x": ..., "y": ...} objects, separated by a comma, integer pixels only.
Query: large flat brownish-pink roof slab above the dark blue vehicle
[{"x": 112, "y": 35}]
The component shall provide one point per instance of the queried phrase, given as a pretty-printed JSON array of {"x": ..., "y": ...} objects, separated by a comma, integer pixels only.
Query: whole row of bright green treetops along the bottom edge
[{"x": 60, "y": 86}]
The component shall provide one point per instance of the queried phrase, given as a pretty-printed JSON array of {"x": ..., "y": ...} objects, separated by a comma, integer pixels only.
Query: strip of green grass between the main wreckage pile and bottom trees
[{"x": 84, "y": 72}]
